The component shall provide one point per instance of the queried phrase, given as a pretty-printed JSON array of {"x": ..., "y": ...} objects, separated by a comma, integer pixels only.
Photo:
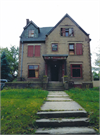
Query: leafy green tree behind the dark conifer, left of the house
[{"x": 12, "y": 57}]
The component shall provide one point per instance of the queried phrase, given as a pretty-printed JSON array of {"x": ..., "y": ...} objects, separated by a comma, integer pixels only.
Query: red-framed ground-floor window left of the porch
[{"x": 33, "y": 71}]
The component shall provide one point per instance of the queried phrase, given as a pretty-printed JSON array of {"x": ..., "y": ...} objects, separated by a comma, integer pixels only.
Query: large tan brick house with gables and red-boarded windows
[{"x": 55, "y": 51}]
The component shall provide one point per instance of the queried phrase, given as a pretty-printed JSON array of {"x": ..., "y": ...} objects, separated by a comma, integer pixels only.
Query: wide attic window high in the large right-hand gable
[{"x": 67, "y": 32}]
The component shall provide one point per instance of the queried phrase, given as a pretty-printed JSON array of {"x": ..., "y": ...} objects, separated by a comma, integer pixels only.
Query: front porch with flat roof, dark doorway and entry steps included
[{"x": 55, "y": 70}]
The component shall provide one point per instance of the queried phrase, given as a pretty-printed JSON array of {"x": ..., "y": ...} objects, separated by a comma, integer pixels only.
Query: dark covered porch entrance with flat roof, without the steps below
[{"x": 55, "y": 66}]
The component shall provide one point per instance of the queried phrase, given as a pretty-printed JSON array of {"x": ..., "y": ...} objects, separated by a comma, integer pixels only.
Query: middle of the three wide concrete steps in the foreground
[{"x": 59, "y": 122}]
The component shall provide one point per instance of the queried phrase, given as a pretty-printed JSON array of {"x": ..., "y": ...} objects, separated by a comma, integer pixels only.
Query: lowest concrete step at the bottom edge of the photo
[{"x": 66, "y": 130}]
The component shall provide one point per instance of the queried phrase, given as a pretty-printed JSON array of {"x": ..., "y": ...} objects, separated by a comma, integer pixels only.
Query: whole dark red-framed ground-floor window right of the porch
[{"x": 76, "y": 70}]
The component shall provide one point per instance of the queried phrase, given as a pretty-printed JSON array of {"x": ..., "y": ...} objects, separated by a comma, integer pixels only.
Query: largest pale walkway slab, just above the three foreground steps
[{"x": 69, "y": 106}]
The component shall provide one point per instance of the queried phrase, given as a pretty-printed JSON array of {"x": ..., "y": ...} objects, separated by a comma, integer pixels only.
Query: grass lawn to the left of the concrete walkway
[{"x": 19, "y": 108}]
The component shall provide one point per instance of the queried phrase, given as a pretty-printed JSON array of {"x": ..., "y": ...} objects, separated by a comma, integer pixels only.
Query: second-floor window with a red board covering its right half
[{"x": 75, "y": 49}]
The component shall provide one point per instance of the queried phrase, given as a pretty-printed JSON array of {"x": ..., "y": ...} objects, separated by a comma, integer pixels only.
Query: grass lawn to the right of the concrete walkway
[{"x": 89, "y": 100}]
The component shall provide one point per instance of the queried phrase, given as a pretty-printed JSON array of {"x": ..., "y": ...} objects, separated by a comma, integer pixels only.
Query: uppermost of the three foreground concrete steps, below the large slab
[{"x": 62, "y": 114}]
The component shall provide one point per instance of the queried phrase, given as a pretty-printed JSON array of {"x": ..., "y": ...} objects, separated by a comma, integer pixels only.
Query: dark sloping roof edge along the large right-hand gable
[{"x": 71, "y": 20}]
